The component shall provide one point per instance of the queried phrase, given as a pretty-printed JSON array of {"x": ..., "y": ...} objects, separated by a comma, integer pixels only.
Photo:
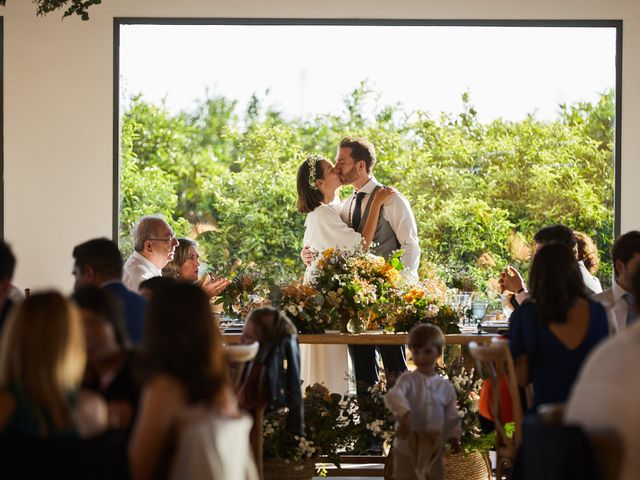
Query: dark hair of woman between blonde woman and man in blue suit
[{"x": 107, "y": 306}]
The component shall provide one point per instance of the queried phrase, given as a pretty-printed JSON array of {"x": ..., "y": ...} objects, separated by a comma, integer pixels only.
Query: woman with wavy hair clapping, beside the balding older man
[{"x": 185, "y": 265}]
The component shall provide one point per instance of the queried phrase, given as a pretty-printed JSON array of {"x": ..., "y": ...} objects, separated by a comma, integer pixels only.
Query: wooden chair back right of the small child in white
[{"x": 495, "y": 363}]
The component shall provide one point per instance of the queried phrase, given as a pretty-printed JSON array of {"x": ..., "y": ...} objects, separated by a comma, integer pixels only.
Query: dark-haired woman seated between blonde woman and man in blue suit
[{"x": 111, "y": 366}]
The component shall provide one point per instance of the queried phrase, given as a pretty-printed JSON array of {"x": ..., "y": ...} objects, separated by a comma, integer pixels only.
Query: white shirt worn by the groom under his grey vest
[{"x": 398, "y": 213}]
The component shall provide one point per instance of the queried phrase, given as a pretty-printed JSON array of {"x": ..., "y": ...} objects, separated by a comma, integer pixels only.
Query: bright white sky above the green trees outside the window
[{"x": 509, "y": 71}]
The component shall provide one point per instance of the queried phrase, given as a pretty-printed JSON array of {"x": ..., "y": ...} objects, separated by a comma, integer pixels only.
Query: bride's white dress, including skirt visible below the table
[{"x": 328, "y": 364}]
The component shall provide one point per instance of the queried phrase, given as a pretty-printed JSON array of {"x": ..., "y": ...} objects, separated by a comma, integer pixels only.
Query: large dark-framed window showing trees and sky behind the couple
[{"x": 490, "y": 131}]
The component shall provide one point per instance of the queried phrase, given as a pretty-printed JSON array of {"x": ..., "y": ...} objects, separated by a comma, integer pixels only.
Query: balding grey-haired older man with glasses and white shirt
[{"x": 154, "y": 243}]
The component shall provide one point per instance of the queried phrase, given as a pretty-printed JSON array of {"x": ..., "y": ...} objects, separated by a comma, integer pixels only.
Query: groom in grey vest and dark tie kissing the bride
[{"x": 396, "y": 229}]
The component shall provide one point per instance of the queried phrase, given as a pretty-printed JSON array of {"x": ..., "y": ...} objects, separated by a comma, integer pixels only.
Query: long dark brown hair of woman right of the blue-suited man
[{"x": 182, "y": 340}]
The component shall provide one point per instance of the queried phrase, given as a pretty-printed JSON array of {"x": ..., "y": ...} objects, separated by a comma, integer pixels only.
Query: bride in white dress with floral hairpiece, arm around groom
[{"x": 318, "y": 182}]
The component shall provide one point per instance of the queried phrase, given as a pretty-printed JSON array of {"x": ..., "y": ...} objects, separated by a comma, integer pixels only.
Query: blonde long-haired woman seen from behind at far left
[{"x": 42, "y": 360}]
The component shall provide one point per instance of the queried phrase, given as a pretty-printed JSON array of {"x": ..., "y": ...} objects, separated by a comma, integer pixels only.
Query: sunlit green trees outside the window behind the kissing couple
[{"x": 474, "y": 187}]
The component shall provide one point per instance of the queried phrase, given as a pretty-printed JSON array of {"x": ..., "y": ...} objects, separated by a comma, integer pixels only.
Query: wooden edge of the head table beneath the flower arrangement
[{"x": 374, "y": 337}]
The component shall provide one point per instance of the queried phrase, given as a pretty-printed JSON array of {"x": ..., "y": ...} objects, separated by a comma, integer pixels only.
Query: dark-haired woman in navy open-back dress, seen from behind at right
[{"x": 551, "y": 334}]
